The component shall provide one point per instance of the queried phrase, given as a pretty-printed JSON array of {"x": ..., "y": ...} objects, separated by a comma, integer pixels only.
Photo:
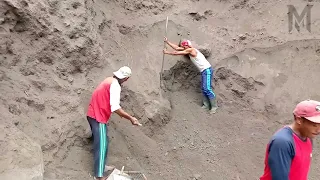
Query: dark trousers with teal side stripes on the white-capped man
[{"x": 100, "y": 145}]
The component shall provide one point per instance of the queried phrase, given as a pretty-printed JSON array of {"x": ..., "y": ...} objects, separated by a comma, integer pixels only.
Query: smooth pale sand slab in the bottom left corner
[{"x": 21, "y": 158}]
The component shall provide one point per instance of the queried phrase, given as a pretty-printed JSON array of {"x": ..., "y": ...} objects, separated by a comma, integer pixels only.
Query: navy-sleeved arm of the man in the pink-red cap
[{"x": 281, "y": 152}]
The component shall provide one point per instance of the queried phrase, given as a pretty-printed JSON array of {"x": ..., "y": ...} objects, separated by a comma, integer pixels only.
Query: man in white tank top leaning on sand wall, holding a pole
[{"x": 199, "y": 60}]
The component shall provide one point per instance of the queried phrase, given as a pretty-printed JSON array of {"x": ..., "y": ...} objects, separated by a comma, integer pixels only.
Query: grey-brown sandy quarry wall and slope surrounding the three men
[{"x": 53, "y": 54}]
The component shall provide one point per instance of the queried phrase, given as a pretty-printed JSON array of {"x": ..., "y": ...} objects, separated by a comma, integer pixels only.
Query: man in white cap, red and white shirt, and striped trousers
[{"x": 104, "y": 101}]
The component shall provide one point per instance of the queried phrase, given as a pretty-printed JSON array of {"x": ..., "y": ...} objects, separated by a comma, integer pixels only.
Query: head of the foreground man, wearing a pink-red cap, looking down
[{"x": 307, "y": 117}]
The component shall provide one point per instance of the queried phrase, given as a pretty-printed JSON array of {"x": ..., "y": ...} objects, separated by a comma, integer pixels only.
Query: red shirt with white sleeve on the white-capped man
[{"x": 104, "y": 100}]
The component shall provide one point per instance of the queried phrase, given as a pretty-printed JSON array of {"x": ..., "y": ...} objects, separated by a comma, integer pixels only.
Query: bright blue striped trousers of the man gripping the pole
[{"x": 206, "y": 79}]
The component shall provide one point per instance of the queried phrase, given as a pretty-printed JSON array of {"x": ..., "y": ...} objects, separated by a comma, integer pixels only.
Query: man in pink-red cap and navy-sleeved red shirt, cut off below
[{"x": 289, "y": 152}]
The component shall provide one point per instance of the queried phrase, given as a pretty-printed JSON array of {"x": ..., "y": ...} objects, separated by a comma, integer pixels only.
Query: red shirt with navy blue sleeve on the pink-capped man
[{"x": 288, "y": 157}]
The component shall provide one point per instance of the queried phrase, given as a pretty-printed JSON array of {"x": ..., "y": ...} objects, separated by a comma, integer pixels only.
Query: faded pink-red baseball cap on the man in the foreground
[{"x": 308, "y": 109}]
